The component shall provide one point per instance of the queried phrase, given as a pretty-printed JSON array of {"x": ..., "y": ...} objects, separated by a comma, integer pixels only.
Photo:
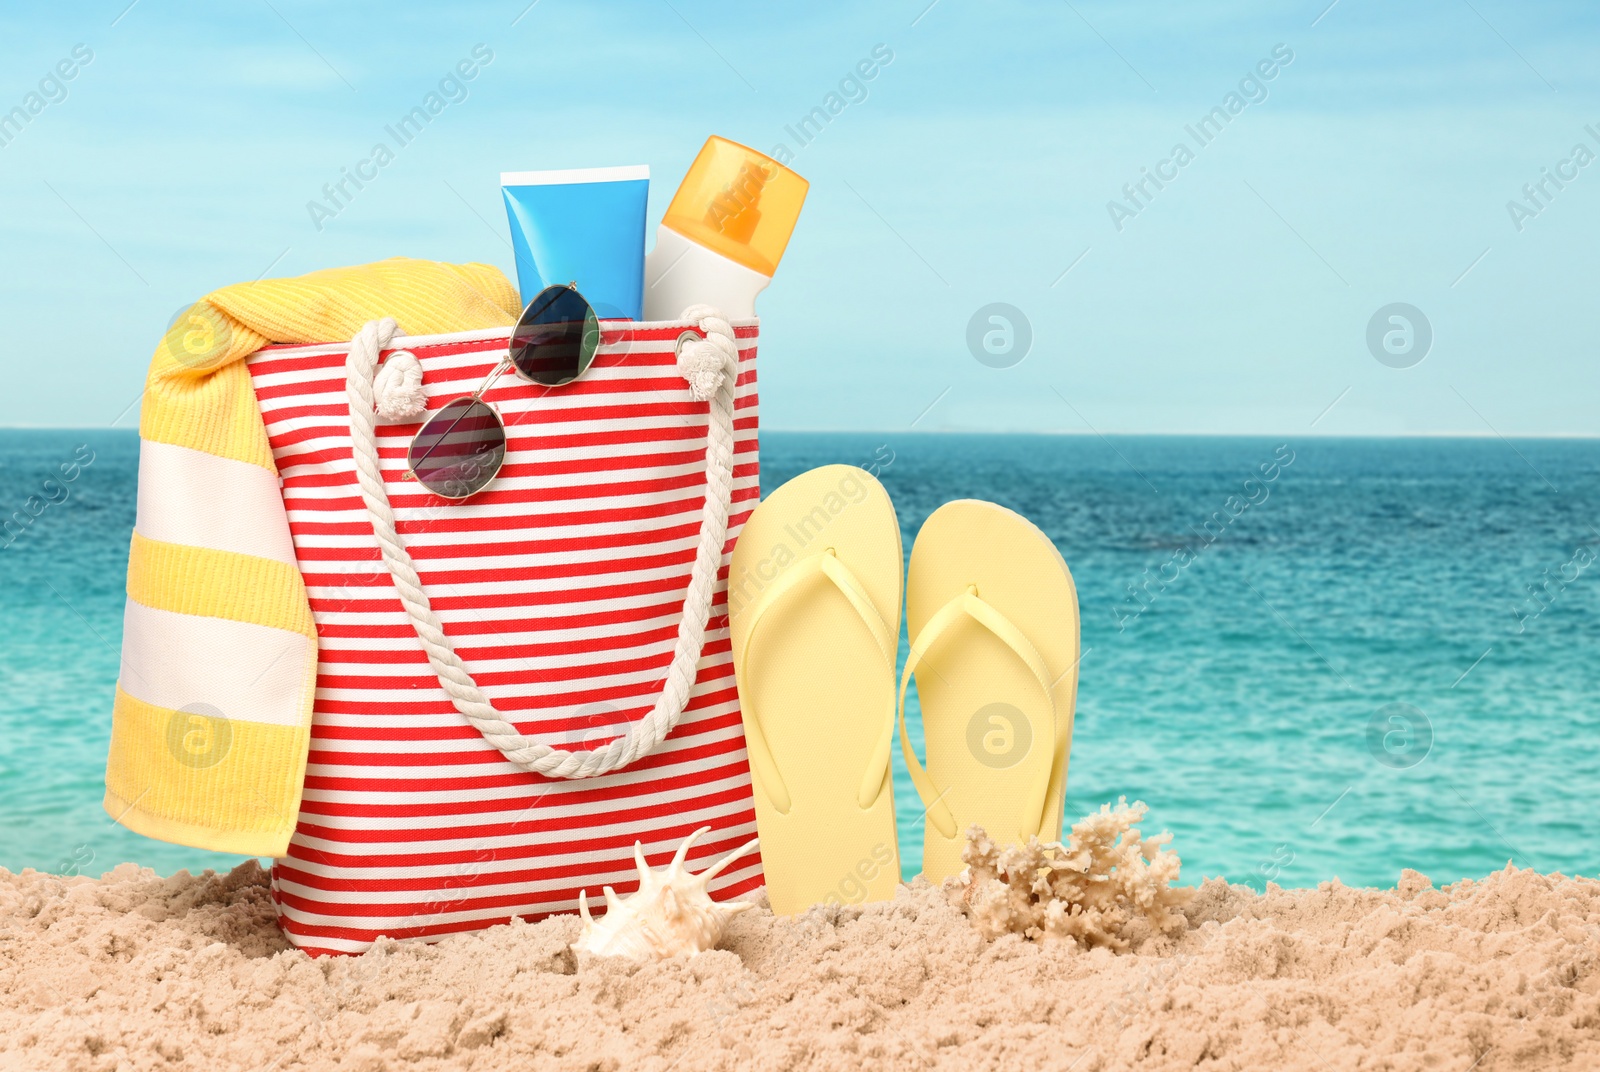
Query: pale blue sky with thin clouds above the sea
[{"x": 977, "y": 169}]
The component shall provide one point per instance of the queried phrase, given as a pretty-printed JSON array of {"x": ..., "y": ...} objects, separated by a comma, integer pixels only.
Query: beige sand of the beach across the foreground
[{"x": 140, "y": 972}]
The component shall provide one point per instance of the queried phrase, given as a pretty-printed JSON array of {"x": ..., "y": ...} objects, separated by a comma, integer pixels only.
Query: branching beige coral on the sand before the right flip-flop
[{"x": 1100, "y": 889}]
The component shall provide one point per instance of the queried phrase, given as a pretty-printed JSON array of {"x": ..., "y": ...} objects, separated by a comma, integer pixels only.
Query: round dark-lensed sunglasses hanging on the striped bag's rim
[{"x": 462, "y": 449}]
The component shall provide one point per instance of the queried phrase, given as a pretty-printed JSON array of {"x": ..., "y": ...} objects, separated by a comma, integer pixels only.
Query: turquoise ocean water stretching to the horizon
[{"x": 1310, "y": 658}]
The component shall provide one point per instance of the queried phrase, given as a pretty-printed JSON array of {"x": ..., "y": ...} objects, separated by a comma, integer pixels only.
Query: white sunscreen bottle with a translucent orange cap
[{"x": 724, "y": 233}]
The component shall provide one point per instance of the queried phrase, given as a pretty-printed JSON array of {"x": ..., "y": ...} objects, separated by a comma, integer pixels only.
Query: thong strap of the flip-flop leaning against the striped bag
[{"x": 762, "y": 761}]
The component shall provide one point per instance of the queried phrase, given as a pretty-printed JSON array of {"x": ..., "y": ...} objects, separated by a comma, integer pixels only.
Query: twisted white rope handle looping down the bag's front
[{"x": 711, "y": 367}]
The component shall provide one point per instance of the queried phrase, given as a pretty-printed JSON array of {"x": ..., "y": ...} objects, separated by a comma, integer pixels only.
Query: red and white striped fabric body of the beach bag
[{"x": 561, "y": 586}]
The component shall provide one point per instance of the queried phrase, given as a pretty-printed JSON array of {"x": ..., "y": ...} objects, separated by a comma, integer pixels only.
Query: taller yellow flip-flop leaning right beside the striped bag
[{"x": 815, "y": 598}]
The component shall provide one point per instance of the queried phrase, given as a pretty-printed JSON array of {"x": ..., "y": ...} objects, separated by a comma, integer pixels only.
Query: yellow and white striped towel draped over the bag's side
[{"x": 214, "y": 705}]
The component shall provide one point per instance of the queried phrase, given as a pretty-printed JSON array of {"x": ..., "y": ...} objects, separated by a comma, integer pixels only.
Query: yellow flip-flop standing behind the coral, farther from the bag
[{"x": 994, "y": 623}]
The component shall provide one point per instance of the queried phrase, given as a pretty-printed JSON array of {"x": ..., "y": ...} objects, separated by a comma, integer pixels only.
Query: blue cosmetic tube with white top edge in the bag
[{"x": 586, "y": 228}]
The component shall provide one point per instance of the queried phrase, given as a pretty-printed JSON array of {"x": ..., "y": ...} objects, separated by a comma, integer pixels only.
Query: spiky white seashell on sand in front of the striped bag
[{"x": 671, "y": 916}]
